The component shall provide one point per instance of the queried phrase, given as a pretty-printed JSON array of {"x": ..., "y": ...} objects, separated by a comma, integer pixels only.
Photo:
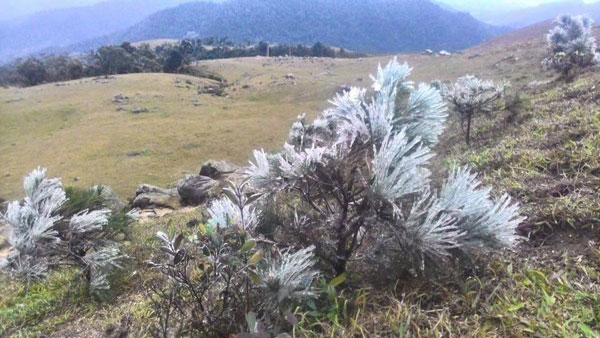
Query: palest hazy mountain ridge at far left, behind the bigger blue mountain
[{"x": 64, "y": 27}]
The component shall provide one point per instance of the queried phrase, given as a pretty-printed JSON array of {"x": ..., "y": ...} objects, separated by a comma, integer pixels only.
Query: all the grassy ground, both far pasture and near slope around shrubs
[{"x": 544, "y": 155}]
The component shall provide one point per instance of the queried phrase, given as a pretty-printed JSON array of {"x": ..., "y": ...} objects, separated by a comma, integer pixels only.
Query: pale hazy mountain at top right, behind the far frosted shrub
[{"x": 529, "y": 16}]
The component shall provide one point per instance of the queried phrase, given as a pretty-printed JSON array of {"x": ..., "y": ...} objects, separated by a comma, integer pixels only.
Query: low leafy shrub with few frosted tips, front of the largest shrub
[{"x": 222, "y": 274}]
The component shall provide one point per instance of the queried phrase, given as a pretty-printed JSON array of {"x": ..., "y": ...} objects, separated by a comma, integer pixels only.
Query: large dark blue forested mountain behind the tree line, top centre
[{"x": 361, "y": 25}]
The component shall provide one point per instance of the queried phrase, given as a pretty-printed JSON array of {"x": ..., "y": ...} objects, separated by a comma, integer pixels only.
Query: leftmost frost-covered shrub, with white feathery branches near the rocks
[{"x": 45, "y": 234}]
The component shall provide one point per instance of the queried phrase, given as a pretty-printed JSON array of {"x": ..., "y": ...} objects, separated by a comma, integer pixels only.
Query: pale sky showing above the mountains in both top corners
[{"x": 16, "y": 8}]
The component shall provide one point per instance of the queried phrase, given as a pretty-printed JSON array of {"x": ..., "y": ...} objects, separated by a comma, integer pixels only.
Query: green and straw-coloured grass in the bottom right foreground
[{"x": 512, "y": 297}]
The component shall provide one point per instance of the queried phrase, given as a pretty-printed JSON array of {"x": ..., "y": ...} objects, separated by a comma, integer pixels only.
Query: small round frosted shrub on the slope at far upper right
[{"x": 571, "y": 45}]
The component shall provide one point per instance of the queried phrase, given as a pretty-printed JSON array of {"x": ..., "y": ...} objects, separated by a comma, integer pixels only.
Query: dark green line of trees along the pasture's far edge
[{"x": 168, "y": 57}]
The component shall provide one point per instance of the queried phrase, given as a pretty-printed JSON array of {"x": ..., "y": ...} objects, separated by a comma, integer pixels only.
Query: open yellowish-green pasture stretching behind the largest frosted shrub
[{"x": 74, "y": 128}]
